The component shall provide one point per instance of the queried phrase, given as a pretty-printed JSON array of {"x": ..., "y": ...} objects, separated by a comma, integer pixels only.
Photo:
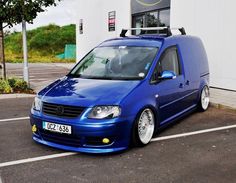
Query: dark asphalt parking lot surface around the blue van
[{"x": 204, "y": 157}]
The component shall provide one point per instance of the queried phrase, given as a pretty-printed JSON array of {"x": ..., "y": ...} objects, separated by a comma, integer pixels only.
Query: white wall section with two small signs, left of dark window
[{"x": 95, "y": 22}]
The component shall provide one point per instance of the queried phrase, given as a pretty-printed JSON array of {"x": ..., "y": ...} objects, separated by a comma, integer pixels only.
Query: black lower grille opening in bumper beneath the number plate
[{"x": 64, "y": 139}]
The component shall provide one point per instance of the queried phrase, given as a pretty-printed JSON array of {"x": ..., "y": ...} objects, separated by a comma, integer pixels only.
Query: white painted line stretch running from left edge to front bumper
[{"x": 40, "y": 158}]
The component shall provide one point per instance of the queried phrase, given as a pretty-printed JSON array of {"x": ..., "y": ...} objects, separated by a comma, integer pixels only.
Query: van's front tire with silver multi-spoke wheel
[{"x": 143, "y": 128}]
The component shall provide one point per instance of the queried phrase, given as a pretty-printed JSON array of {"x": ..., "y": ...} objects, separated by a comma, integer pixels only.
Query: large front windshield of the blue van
[{"x": 121, "y": 62}]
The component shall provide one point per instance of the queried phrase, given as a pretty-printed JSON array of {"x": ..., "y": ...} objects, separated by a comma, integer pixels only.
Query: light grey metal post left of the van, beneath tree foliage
[{"x": 25, "y": 53}]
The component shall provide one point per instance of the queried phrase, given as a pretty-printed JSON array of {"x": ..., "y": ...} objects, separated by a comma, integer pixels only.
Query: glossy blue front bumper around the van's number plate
[{"x": 85, "y": 137}]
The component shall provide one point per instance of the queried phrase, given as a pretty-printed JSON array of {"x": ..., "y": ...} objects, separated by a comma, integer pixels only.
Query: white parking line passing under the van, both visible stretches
[{"x": 40, "y": 158}]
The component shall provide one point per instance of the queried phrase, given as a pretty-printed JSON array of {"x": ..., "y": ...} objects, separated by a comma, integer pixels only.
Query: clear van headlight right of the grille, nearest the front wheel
[{"x": 104, "y": 112}]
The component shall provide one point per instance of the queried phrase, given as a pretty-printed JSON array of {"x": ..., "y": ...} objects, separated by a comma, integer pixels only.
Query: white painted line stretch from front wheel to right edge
[{"x": 193, "y": 133}]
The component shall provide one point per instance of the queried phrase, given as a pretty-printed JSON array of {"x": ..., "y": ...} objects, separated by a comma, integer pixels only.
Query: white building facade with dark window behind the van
[{"x": 211, "y": 20}]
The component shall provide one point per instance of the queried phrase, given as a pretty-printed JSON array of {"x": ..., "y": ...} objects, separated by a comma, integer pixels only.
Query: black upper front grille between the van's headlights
[{"x": 62, "y": 110}]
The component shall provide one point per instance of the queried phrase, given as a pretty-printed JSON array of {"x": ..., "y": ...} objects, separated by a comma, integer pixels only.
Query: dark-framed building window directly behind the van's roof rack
[{"x": 158, "y": 18}]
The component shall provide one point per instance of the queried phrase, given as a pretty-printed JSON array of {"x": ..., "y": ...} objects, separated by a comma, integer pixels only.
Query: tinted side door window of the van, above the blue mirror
[{"x": 169, "y": 61}]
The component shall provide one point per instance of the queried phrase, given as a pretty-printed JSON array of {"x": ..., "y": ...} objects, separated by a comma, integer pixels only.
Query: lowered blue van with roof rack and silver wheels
[{"x": 123, "y": 92}]
